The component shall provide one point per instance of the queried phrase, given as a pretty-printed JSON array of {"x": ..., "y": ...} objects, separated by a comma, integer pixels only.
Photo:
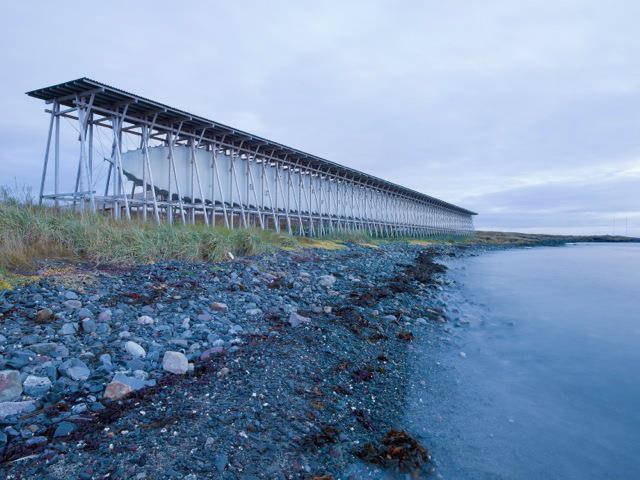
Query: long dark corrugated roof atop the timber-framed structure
[{"x": 107, "y": 96}]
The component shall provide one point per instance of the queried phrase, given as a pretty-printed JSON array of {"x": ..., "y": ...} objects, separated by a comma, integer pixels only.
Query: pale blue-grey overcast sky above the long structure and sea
[{"x": 527, "y": 112}]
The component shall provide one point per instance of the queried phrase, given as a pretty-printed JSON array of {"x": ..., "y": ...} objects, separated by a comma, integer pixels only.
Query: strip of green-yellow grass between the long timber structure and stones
[{"x": 29, "y": 232}]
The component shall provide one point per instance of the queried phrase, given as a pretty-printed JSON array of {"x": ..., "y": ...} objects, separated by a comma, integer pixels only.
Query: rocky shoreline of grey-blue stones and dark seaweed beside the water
[{"x": 283, "y": 365}]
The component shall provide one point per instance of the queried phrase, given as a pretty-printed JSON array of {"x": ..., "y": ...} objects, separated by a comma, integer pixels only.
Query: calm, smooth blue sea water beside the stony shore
[{"x": 539, "y": 376}]
